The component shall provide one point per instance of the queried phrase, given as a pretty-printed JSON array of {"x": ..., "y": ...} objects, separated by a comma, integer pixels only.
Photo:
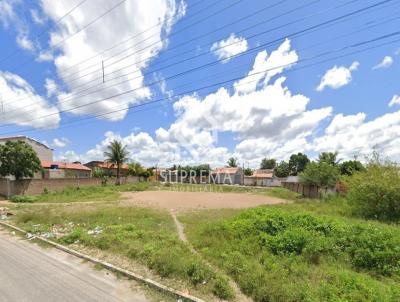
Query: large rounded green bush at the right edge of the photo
[{"x": 375, "y": 193}]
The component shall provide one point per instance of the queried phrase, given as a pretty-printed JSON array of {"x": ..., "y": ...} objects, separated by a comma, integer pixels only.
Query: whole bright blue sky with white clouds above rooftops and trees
[{"x": 349, "y": 103}]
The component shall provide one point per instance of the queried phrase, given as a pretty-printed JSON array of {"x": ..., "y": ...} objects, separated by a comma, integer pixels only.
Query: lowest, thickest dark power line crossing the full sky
[{"x": 222, "y": 83}]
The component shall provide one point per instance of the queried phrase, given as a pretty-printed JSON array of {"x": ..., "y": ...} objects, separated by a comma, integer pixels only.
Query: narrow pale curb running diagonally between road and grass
[{"x": 111, "y": 267}]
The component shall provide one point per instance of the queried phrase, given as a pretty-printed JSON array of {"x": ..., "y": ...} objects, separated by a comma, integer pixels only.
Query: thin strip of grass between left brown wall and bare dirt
[{"x": 83, "y": 194}]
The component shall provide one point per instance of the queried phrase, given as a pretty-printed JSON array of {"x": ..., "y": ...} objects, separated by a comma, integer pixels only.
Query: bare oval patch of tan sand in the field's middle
[{"x": 198, "y": 200}]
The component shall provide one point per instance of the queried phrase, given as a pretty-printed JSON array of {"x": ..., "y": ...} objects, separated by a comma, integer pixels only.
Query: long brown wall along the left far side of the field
[{"x": 37, "y": 186}]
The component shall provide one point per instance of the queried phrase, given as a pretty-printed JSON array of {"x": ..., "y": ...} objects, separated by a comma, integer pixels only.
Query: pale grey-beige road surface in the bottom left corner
[{"x": 31, "y": 273}]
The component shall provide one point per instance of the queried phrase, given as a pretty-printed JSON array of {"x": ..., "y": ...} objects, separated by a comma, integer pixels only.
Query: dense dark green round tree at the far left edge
[{"x": 19, "y": 160}]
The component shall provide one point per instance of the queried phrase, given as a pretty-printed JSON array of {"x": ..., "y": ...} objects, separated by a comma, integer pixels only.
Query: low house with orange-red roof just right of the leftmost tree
[{"x": 53, "y": 170}]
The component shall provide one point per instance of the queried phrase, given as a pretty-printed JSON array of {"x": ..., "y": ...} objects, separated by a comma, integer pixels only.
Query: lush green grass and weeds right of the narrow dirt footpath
[{"x": 294, "y": 253}]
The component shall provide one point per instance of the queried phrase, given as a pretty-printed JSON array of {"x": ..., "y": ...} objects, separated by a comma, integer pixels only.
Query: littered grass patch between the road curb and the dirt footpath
[{"x": 144, "y": 235}]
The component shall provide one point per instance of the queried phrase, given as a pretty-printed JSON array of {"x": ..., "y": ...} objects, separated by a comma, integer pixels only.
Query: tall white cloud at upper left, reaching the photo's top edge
[{"x": 129, "y": 19}]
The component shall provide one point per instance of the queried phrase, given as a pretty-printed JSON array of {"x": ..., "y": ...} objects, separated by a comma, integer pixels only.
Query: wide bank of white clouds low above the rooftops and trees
[{"x": 265, "y": 119}]
